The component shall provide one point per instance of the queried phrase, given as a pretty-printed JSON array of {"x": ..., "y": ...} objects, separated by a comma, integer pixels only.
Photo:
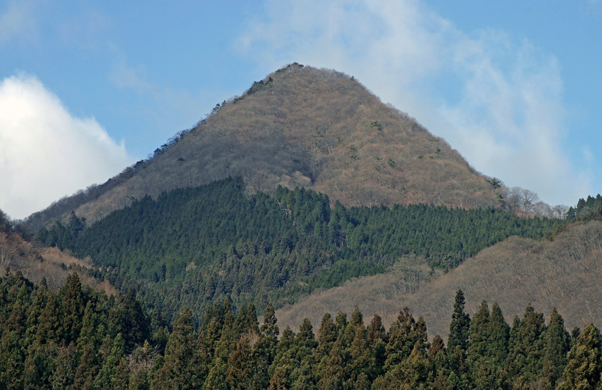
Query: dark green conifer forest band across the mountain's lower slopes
[{"x": 191, "y": 247}]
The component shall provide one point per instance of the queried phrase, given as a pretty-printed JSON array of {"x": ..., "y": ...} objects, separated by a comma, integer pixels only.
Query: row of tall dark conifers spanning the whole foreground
[{"x": 76, "y": 338}]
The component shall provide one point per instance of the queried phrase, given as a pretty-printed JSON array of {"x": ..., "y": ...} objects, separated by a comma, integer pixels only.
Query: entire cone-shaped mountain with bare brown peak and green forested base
[{"x": 213, "y": 212}]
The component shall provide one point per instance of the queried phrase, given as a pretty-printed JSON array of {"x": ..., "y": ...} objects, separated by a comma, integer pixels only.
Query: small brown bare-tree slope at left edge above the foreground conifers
[{"x": 36, "y": 262}]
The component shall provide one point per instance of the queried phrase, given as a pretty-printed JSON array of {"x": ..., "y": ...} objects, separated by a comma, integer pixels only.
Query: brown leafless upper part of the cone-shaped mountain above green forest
[{"x": 300, "y": 126}]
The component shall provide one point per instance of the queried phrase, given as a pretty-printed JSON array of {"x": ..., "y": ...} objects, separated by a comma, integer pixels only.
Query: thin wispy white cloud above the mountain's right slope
[{"x": 503, "y": 112}]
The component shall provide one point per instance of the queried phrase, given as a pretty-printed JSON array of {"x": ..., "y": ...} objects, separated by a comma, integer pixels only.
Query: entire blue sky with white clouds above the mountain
[{"x": 87, "y": 88}]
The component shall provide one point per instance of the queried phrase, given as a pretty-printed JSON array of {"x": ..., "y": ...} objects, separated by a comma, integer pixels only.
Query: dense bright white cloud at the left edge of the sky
[{"x": 45, "y": 152}]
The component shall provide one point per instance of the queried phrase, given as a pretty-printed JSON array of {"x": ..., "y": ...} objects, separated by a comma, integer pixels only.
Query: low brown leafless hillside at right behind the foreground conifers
[{"x": 562, "y": 273}]
